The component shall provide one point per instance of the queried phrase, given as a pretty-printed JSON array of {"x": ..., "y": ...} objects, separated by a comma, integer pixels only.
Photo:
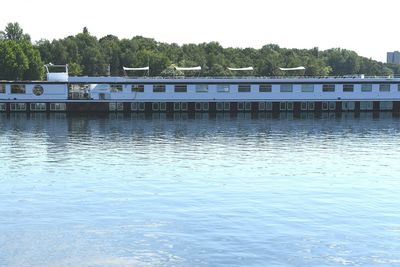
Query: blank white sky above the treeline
[{"x": 368, "y": 27}]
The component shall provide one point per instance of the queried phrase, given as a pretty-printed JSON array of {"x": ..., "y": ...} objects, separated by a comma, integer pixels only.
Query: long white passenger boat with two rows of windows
[{"x": 60, "y": 93}]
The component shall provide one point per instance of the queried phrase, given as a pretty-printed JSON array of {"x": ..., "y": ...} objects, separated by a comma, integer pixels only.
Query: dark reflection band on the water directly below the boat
[{"x": 61, "y": 130}]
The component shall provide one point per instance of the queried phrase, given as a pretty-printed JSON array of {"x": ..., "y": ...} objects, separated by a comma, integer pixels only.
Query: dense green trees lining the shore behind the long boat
[{"x": 20, "y": 59}]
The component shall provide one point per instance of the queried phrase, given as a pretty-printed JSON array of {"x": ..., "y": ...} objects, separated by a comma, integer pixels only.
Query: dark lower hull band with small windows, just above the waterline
[{"x": 203, "y": 107}]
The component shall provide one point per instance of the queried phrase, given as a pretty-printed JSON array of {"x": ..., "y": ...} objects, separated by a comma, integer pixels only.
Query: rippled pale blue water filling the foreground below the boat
[{"x": 242, "y": 191}]
